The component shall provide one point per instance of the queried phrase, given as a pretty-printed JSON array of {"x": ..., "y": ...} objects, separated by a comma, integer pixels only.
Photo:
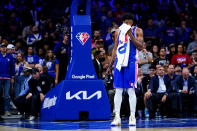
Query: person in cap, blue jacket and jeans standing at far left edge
[{"x": 6, "y": 76}]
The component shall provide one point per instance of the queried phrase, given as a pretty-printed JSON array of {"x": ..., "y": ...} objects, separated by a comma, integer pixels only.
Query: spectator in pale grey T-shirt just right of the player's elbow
[{"x": 145, "y": 59}]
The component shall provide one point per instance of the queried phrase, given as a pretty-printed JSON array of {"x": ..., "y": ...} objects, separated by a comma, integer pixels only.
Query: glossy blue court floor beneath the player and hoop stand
[{"x": 168, "y": 124}]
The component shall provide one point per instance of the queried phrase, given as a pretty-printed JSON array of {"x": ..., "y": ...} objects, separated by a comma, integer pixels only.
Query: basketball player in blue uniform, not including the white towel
[{"x": 125, "y": 79}]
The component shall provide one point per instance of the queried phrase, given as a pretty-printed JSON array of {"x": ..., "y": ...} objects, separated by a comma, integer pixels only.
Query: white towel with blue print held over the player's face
[{"x": 123, "y": 47}]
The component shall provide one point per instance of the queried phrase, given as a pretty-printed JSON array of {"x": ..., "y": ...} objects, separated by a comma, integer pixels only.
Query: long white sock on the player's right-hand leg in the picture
[{"x": 132, "y": 101}]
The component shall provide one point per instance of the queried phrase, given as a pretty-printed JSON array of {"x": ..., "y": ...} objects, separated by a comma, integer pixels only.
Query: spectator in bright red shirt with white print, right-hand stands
[{"x": 180, "y": 57}]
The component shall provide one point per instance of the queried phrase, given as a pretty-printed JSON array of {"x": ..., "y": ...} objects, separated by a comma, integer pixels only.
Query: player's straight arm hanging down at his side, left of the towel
[{"x": 114, "y": 51}]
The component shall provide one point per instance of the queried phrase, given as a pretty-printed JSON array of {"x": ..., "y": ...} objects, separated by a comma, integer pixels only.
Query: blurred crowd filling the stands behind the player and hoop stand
[{"x": 35, "y": 46}]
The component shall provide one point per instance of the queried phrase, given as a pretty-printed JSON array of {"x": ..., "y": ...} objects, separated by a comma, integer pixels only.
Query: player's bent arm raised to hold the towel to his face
[{"x": 138, "y": 42}]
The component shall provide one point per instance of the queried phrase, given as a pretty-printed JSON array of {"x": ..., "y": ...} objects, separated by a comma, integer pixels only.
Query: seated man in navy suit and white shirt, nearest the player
[{"x": 158, "y": 91}]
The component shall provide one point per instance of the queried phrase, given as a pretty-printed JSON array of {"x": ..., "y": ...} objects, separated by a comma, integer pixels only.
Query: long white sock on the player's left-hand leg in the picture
[{"x": 118, "y": 101}]
